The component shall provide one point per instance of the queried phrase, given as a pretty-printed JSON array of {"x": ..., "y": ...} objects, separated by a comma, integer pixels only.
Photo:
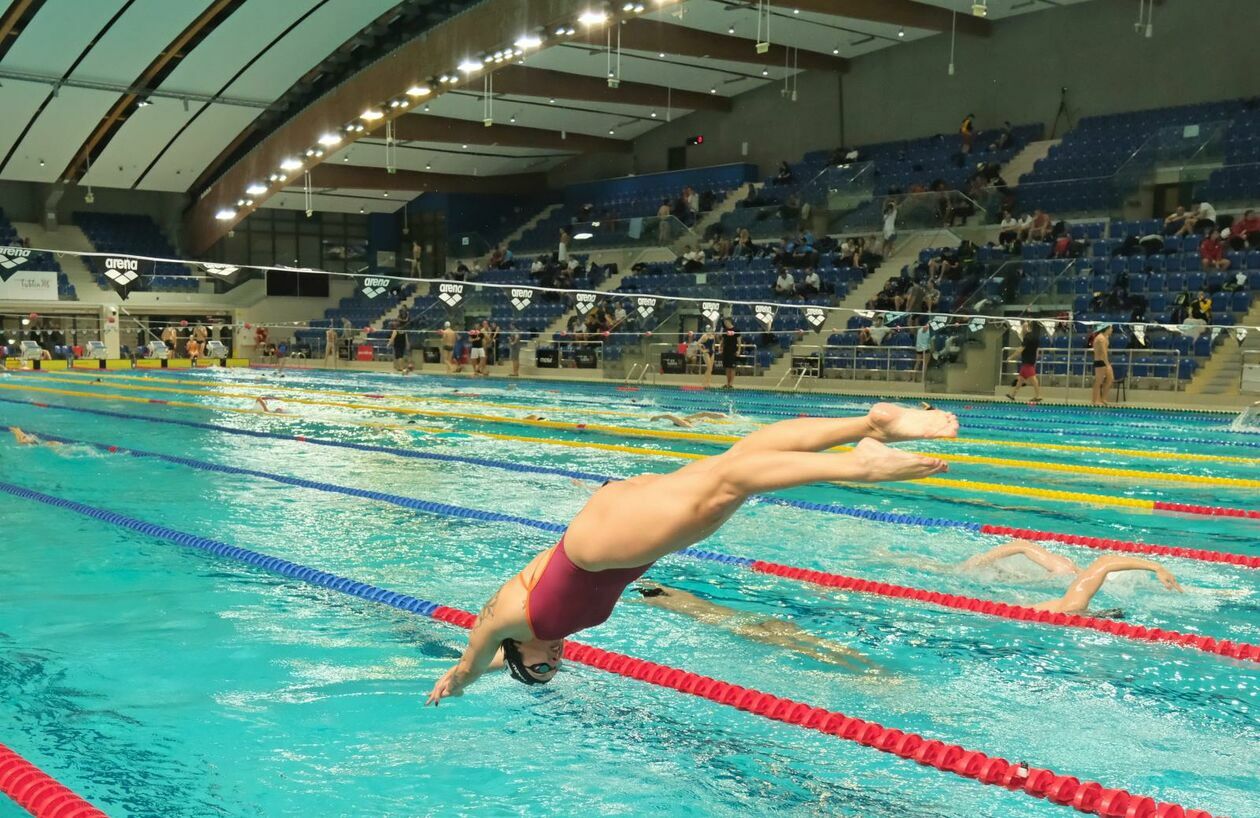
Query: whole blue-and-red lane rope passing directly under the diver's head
[{"x": 1087, "y": 797}]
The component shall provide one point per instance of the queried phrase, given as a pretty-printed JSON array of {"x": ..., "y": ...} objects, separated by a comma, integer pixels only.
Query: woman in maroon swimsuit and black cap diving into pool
[{"x": 628, "y": 525}]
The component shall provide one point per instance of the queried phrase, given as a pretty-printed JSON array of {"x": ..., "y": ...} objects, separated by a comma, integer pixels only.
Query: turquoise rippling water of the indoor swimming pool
[{"x": 157, "y": 681}]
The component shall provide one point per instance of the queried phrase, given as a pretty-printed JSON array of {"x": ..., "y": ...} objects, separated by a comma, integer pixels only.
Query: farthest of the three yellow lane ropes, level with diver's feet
[{"x": 464, "y": 401}]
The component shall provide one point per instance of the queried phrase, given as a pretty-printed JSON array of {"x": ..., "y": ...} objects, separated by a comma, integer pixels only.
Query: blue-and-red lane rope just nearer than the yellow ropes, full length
[{"x": 1101, "y": 544}]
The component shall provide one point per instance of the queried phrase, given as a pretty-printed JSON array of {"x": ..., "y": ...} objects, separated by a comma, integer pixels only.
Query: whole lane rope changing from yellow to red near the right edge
[{"x": 967, "y": 486}]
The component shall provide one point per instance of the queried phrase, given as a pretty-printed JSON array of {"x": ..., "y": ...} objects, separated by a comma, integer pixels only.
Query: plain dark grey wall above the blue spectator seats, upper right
[{"x": 1201, "y": 51}]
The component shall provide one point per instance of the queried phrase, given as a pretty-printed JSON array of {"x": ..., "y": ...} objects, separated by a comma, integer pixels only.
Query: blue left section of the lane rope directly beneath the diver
[{"x": 268, "y": 563}]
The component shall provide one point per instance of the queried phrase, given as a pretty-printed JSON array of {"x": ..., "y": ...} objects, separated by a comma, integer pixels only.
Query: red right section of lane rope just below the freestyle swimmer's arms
[{"x": 1020, "y": 613}]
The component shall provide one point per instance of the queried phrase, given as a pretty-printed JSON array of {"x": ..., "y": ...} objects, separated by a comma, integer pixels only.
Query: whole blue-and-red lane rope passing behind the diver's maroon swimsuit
[{"x": 827, "y": 579}]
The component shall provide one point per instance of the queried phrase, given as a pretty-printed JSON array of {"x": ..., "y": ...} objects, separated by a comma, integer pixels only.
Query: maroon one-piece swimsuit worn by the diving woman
[{"x": 565, "y": 599}]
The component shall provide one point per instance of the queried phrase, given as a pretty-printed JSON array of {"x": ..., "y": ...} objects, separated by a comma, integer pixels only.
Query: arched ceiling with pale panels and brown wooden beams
[{"x": 180, "y": 95}]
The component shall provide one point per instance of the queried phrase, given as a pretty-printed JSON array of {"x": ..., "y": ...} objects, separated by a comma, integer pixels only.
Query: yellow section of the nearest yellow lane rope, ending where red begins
[{"x": 967, "y": 486}]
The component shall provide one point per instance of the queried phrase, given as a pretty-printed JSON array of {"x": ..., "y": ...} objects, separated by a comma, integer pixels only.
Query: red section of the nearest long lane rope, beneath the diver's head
[{"x": 1087, "y": 797}]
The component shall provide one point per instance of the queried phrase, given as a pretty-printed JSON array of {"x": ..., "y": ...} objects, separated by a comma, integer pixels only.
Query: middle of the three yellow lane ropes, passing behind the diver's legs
[{"x": 1127, "y": 475}]
